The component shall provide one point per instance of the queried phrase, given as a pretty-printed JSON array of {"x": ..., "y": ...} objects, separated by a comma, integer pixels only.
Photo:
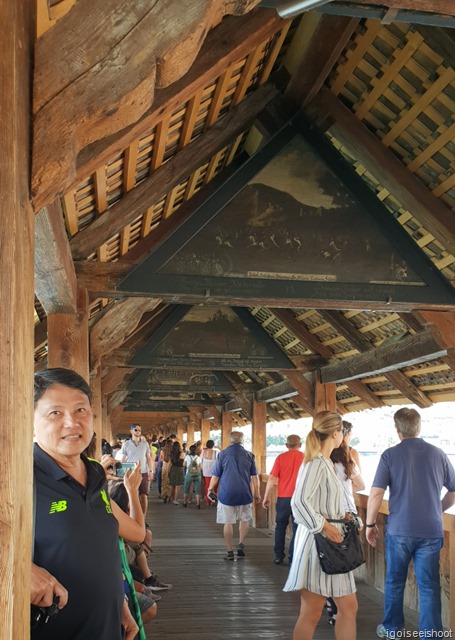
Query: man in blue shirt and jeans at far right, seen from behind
[{"x": 415, "y": 472}]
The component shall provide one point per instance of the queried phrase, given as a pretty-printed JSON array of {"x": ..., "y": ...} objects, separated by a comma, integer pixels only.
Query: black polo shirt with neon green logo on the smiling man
[{"x": 76, "y": 540}]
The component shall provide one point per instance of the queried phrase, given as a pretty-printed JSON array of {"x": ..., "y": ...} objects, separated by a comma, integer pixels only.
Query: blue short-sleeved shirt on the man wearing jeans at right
[{"x": 415, "y": 472}]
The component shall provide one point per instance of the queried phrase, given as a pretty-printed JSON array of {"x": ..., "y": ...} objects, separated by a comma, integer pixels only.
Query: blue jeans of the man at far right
[{"x": 425, "y": 554}]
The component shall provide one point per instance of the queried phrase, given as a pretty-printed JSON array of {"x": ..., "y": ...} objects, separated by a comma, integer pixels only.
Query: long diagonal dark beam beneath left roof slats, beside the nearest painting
[{"x": 170, "y": 174}]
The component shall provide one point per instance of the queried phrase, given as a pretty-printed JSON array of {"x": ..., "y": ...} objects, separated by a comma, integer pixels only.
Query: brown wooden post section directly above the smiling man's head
[{"x": 68, "y": 338}]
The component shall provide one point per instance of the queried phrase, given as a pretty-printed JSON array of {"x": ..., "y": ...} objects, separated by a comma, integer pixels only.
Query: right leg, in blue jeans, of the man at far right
[{"x": 426, "y": 569}]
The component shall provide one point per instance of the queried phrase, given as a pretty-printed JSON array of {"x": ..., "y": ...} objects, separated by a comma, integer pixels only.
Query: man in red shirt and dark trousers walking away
[{"x": 284, "y": 471}]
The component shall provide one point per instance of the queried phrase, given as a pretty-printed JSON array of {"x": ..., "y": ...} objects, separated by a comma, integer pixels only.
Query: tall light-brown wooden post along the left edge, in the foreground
[{"x": 17, "y": 26}]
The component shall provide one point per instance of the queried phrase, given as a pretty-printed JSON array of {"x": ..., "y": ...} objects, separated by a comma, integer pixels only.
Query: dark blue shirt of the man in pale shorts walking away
[{"x": 234, "y": 467}]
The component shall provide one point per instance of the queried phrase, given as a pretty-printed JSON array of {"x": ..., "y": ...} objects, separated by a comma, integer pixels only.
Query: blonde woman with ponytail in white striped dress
[{"x": 318, "y": 496}]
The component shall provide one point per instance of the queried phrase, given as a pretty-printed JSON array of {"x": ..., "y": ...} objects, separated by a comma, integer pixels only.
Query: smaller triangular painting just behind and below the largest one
[{"x": 214, "y": 338}]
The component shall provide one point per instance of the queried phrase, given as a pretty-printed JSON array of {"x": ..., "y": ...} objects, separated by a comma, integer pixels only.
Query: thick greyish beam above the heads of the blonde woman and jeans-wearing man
[{"x": 409, "y": 351}]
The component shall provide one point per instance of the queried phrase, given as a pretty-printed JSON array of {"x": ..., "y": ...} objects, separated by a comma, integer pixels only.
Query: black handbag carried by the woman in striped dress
[{"x": 340, "y": 557}]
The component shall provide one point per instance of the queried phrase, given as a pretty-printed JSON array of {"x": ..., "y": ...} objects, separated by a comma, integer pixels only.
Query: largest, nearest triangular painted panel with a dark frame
[{"x": 302, "y": 226}]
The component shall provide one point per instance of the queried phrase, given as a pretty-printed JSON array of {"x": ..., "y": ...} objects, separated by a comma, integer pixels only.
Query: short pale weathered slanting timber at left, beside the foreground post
[{"x": 55, "y": 276}]
